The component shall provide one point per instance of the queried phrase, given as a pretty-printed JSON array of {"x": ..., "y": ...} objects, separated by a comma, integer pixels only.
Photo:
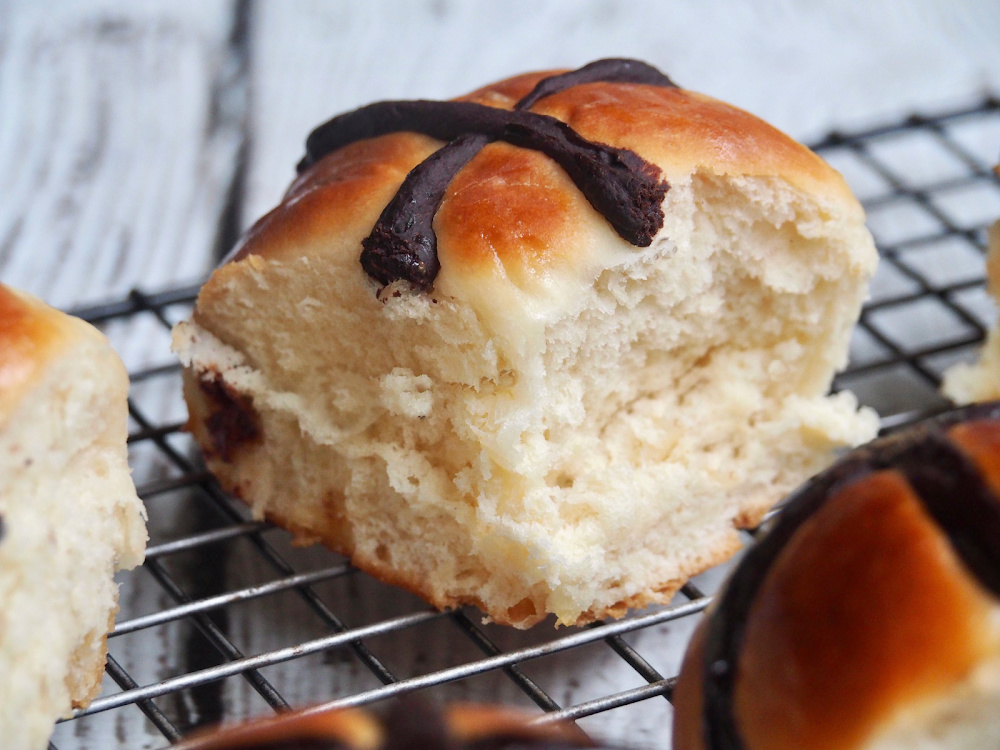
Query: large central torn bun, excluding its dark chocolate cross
[{"x": 565, "y": 423}]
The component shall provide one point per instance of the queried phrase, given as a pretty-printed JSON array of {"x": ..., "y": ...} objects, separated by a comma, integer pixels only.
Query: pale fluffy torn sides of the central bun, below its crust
[{"x": 576, "y": 452}]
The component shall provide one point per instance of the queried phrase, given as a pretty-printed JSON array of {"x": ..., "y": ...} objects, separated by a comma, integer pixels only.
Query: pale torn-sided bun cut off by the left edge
[{"x": 69, "y": 514}]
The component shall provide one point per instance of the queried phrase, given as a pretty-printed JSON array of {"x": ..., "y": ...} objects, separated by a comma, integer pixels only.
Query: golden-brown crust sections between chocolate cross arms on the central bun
[{"x": 680, "y": 131}]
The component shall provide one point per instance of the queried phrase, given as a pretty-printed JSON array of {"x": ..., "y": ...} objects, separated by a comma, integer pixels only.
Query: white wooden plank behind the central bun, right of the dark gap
[{"x": 807, "y": 66}]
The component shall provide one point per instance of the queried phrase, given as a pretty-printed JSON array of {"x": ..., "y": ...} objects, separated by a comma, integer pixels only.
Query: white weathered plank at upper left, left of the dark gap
[{"x": 116, "y": 165}]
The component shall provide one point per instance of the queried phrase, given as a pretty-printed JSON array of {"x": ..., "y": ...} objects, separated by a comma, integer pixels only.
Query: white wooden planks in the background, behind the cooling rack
[{"x": 122, "y": 122}]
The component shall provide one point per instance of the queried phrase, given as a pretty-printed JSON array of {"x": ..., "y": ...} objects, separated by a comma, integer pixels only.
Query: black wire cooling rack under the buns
[{"x": 226, "y": 619}]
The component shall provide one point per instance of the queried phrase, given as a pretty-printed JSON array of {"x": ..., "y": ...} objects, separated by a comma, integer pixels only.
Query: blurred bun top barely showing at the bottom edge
[{"x": 415, "y": 724}]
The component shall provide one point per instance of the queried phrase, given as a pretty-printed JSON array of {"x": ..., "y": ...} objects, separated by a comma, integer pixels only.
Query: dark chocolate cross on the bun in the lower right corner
[{"x": 953, "y": 493}]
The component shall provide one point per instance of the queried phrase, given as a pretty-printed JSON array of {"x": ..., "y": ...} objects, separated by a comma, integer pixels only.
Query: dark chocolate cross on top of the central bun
[{"x": 623, "y": 187}]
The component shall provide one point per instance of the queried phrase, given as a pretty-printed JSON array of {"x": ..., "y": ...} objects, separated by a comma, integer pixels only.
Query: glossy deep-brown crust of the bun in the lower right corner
[{"x": 866, "y": 610}]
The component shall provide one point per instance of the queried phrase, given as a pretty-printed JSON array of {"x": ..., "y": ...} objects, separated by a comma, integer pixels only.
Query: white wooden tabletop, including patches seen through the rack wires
[{"x": 137, "y": 139}]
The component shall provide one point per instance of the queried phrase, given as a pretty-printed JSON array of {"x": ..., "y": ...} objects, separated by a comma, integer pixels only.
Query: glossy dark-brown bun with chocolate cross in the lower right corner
[{"x": 869, "y": 615}]
